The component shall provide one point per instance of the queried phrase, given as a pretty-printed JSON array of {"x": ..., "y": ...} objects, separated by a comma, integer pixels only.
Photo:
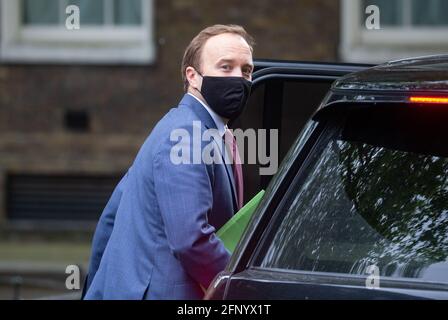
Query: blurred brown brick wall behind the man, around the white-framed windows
[{"x": 124, "y": 102}]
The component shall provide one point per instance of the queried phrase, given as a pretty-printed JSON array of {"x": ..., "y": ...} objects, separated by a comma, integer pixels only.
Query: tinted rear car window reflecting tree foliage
[{"x": 373, "y": 192}]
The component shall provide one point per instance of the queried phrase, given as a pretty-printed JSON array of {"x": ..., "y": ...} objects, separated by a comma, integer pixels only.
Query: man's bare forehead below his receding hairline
[{"x": 227, "y": 47}]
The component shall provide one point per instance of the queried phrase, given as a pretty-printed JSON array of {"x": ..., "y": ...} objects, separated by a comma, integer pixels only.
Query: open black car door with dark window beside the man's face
[{"x": 284, "y": 96}]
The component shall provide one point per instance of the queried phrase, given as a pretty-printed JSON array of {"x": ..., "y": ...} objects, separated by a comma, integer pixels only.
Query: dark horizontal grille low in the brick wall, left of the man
[{"x": 58, "y": 197}]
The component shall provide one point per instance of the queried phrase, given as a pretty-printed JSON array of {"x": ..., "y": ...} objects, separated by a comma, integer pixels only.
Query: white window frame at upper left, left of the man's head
[{"x": 106, "y": 44}]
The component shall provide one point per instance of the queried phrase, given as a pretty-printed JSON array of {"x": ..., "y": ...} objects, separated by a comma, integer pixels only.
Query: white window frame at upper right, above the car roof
[{"x": 358, "y": 44}]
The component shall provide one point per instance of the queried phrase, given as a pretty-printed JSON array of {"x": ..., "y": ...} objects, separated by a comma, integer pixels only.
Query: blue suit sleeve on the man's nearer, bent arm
[{"x": 185, "y": 197}]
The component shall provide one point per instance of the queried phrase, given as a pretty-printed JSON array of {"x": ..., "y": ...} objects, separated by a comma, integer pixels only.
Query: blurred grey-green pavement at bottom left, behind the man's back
[{"x": 37, "y": 269}]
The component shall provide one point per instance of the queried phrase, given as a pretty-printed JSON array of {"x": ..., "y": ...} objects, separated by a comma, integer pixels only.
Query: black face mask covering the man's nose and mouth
[{"x": 227, "y": 96}]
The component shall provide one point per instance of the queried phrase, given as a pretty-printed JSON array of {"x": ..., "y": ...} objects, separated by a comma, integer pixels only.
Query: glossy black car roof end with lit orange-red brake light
[{"x": 400, "y": 81}]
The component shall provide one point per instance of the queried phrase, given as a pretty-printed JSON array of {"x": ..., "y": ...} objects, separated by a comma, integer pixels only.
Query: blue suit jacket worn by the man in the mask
[{"x": 156, "y": 236}]
